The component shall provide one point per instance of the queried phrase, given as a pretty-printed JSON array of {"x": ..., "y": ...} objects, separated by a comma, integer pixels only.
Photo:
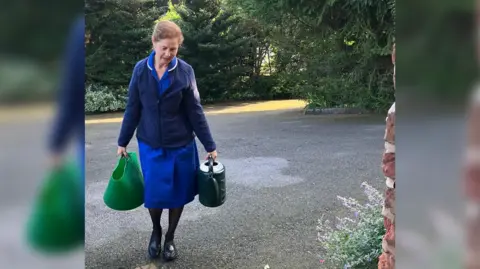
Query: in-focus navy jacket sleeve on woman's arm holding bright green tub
[{"x": 131, "y": 117}]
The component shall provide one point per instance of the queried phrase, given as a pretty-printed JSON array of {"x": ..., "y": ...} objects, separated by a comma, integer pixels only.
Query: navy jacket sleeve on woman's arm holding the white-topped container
[{"x": 196, "y": 114}]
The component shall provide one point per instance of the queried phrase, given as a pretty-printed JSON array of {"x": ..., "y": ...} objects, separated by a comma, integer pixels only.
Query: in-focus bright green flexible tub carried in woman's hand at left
[{"x": 125, "y": 190}]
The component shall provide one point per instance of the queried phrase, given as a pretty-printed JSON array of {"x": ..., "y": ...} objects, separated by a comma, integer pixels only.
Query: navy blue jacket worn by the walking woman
[{"x": 169, "y": 120}]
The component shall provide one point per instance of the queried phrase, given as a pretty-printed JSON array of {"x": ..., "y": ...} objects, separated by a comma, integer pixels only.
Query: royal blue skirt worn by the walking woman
[{"x": 169, "y": 174}]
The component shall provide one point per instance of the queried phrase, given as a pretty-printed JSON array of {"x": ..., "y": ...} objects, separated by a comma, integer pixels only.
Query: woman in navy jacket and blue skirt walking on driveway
[{"x": 164, "y": 107}]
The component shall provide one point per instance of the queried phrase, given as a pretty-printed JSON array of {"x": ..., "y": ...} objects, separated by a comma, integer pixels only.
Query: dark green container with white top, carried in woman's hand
[{"x": 211, "y": 183}]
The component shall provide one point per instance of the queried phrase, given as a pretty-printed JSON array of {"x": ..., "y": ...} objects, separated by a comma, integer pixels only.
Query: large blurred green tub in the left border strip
[{"x": 57, "y": 222}]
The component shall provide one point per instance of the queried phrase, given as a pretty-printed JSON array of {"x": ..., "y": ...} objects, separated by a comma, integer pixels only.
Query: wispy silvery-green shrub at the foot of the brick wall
[{"x": 355, "y": 242}]
